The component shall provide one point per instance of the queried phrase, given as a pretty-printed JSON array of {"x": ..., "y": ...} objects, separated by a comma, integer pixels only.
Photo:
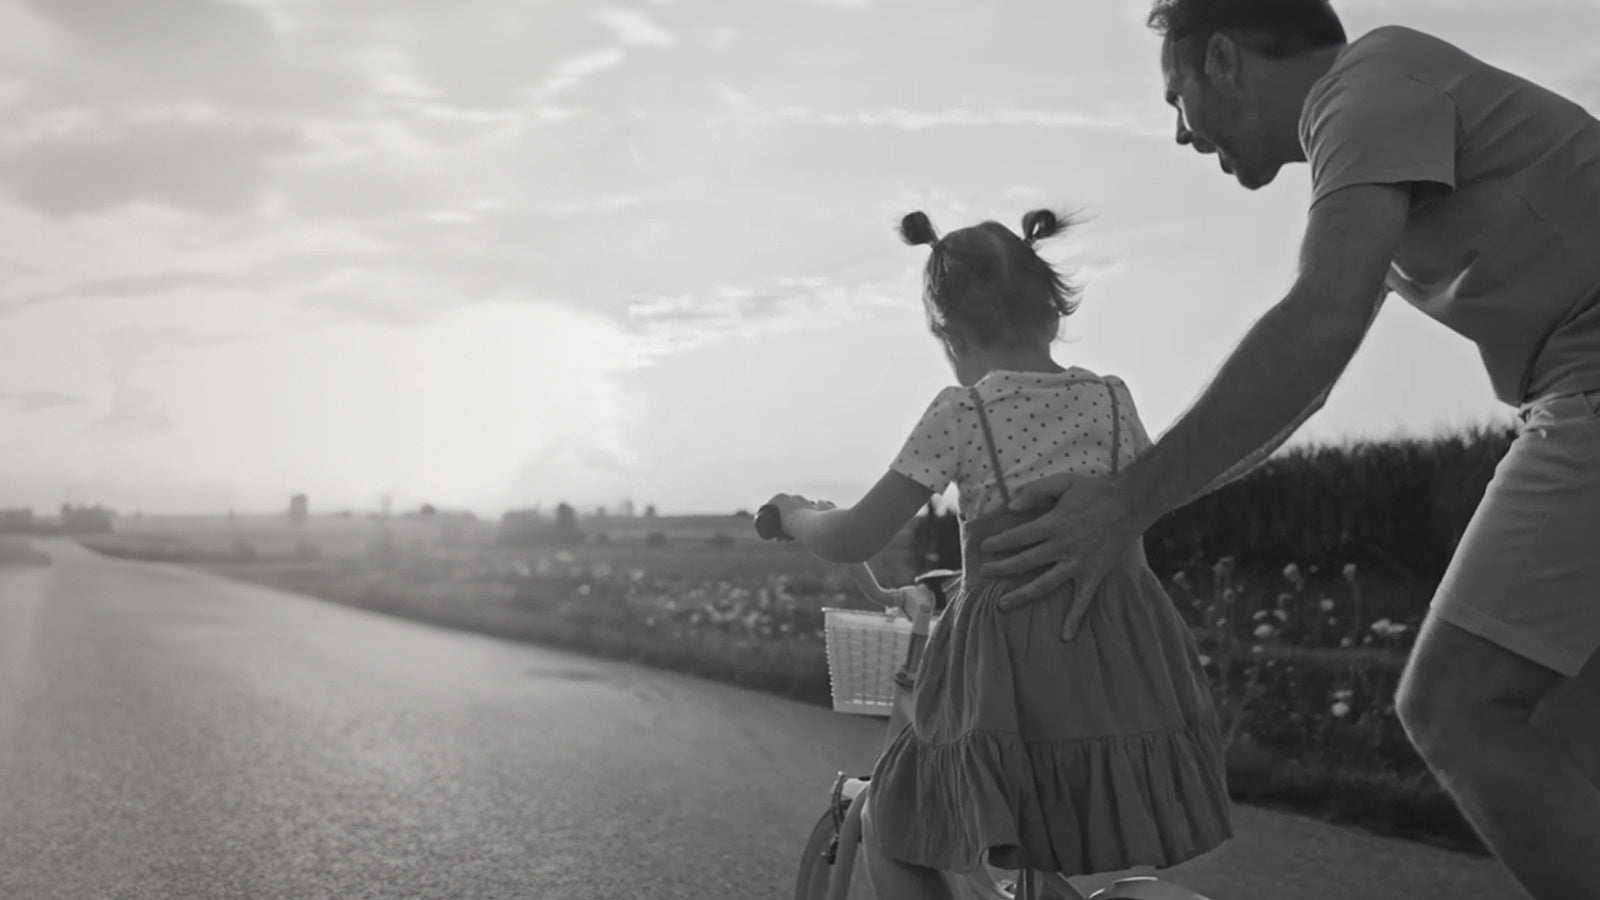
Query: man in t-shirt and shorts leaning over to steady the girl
[{"x": 1476, "y": 196}]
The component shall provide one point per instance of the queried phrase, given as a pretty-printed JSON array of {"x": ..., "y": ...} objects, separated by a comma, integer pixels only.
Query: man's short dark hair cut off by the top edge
[{"x": 1274, "y": 28}]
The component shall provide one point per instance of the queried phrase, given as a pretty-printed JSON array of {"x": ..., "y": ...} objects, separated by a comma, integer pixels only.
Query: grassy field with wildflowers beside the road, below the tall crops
[{"x": 1305, "y": 678}]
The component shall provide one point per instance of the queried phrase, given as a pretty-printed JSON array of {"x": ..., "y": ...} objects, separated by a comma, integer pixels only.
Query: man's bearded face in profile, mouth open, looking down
[{"x": 1217, "y": 121}]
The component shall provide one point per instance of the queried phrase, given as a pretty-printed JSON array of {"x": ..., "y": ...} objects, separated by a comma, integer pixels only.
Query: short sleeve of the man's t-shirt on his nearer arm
[{"x": 1378, "y": 127}]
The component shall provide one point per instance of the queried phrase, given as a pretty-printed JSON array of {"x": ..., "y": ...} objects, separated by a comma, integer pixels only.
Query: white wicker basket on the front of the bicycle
[{"x": 865, "y": 651}]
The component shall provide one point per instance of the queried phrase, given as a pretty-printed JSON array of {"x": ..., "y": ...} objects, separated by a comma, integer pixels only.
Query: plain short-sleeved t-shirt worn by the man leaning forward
[{"x": 1503, "y": 243}]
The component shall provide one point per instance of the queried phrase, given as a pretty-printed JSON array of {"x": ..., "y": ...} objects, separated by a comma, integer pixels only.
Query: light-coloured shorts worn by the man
[{"x": 1527, "y": 573}]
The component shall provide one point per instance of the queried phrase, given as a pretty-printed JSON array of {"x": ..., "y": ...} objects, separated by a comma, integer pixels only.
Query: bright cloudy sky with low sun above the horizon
[{"x": 497, "y": 254}]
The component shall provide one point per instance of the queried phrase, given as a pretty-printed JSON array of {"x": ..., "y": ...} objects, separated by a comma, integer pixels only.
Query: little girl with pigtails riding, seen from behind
[{"x": 1100, "y": 755}]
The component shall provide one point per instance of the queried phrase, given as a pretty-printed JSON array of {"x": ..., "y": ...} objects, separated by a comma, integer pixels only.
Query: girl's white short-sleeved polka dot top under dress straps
[{"x": 1046, "y": 424}]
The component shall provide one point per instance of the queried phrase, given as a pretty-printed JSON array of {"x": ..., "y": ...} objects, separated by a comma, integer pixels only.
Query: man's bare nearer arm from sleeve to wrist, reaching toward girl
[{"x": 1289, "y": 360}]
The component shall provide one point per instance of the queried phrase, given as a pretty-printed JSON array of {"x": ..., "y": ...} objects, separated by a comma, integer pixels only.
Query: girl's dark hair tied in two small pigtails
[{"x": 988, "y": 284}]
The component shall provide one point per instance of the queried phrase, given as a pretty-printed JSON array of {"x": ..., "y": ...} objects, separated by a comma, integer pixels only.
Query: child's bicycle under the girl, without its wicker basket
[{"x": 828, "y": 866}]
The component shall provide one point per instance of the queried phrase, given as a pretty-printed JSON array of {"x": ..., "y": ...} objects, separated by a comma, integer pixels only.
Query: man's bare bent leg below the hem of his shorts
[{"x": 1468, "y": 707}]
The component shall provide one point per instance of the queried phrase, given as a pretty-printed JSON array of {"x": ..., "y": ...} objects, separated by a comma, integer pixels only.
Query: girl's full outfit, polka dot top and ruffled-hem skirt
[{"x": 1095, "y": 755}]
